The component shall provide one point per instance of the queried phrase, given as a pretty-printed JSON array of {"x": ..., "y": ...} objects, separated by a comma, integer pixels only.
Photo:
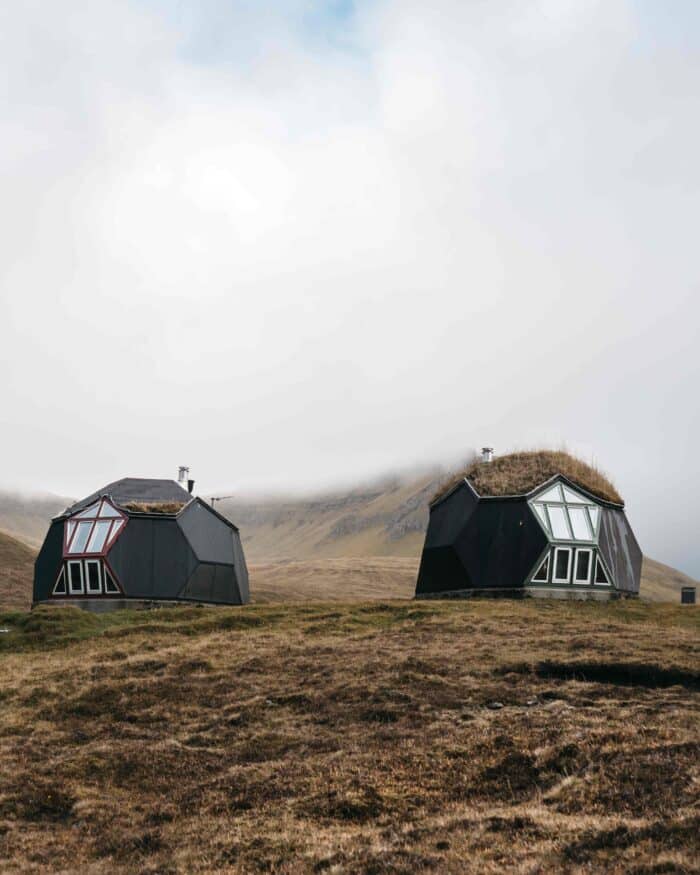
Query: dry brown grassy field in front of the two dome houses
[{"x": 376, "y": 737}]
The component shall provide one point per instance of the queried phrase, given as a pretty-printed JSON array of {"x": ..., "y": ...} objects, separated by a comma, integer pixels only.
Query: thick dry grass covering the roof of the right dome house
[{"x": 518, "y": 473}]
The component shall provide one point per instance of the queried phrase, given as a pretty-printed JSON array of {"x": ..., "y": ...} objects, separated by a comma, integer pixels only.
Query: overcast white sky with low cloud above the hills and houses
[{"x": 295, "y": 244}]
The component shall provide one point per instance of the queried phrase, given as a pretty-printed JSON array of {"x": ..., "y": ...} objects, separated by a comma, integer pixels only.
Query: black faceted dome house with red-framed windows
[{"x": 102, "y": 550}]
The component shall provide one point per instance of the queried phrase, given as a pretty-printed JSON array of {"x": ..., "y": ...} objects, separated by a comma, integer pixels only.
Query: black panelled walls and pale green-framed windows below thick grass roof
[{"x": 556, "y": 540}]
